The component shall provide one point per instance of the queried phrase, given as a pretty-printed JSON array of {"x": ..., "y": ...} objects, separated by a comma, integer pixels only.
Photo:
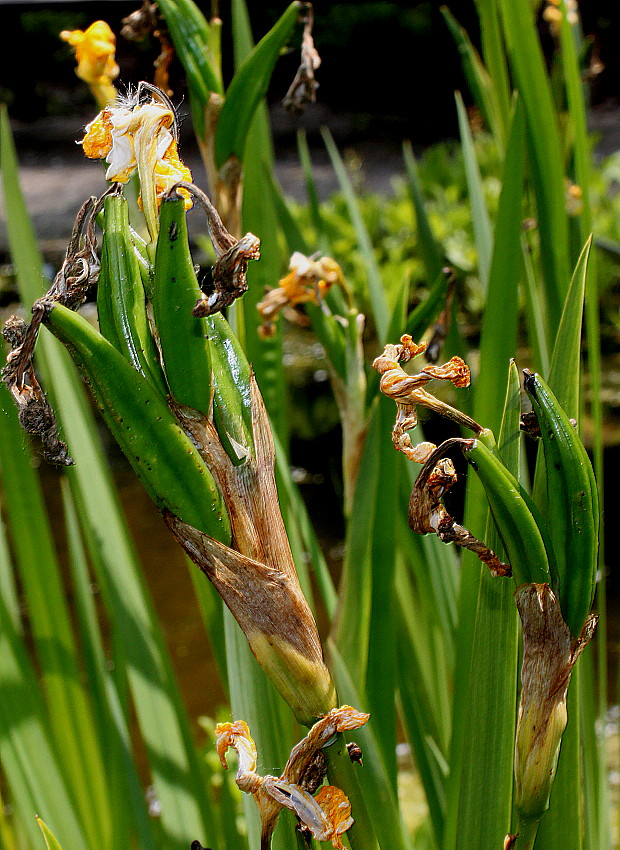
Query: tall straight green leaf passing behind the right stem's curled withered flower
[{"x": 483, "y": 740}]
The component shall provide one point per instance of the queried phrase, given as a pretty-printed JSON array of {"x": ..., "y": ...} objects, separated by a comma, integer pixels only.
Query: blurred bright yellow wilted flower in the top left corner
[{"x": 94, "y": 51}]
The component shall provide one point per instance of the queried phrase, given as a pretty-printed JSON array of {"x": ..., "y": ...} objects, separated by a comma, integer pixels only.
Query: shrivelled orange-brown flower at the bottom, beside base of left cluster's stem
[{"x": 327, "y": 815}]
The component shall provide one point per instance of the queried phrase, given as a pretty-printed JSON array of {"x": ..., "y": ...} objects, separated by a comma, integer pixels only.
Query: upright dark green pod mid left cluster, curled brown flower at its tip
[{"x": 182, "y": 336}]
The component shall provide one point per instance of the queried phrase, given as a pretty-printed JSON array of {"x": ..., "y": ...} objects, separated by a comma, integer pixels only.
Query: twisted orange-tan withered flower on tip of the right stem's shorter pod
[{"x": 408, "y": 392}]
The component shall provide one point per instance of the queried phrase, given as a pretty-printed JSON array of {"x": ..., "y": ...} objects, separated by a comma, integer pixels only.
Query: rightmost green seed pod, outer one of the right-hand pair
[{"x": 572, "y": 511}]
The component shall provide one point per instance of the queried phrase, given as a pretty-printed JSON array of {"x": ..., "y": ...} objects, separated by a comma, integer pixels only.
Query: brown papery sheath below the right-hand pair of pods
[{"x": 549, "y": 656}]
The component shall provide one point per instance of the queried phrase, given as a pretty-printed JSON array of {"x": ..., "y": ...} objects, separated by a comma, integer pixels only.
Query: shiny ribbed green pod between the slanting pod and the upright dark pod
[{"x": 121, "y": 301}]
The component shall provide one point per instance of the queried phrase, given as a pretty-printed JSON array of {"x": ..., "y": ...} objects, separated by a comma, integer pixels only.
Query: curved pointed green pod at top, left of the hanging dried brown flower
[{"x": 249, "y": 87}]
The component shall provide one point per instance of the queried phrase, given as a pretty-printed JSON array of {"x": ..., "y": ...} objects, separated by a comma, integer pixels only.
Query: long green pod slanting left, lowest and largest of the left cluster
[{"x": 164, "y": 458}]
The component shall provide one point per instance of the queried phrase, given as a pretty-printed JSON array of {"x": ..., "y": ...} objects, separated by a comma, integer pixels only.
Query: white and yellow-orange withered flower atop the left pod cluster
[{"x": 132, "y": 134}]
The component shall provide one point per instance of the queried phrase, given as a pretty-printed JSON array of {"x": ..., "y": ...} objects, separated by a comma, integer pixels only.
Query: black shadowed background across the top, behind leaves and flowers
[{"x": 390, "y": 67}]
